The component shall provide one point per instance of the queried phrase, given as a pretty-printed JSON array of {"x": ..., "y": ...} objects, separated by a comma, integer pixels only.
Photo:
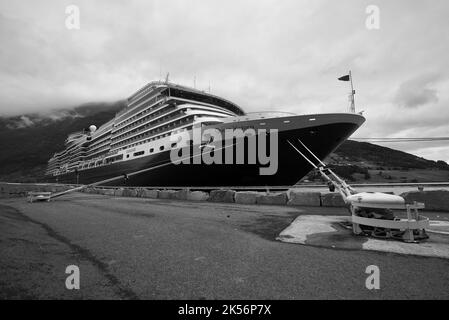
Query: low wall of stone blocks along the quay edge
[{"x": 434, "y": 200}]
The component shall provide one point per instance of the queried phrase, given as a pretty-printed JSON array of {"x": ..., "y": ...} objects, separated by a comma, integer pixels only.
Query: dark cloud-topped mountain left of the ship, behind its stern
[{"x": 27, "y": 142}]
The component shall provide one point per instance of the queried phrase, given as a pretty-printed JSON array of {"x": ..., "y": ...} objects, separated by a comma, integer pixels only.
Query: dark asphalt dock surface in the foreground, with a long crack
[{"x": 133, "y": 248}]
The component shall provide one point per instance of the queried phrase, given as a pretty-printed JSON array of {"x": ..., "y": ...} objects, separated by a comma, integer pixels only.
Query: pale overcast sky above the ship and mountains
[{"x": 262, "y": 54}]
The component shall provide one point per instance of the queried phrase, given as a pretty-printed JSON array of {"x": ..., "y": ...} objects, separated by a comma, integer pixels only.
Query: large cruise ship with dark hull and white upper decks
[{"x": 135, "y": 148}]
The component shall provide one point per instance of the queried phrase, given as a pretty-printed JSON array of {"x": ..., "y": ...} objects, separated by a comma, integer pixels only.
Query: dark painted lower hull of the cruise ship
[{"x": 321, "y": 139}]
